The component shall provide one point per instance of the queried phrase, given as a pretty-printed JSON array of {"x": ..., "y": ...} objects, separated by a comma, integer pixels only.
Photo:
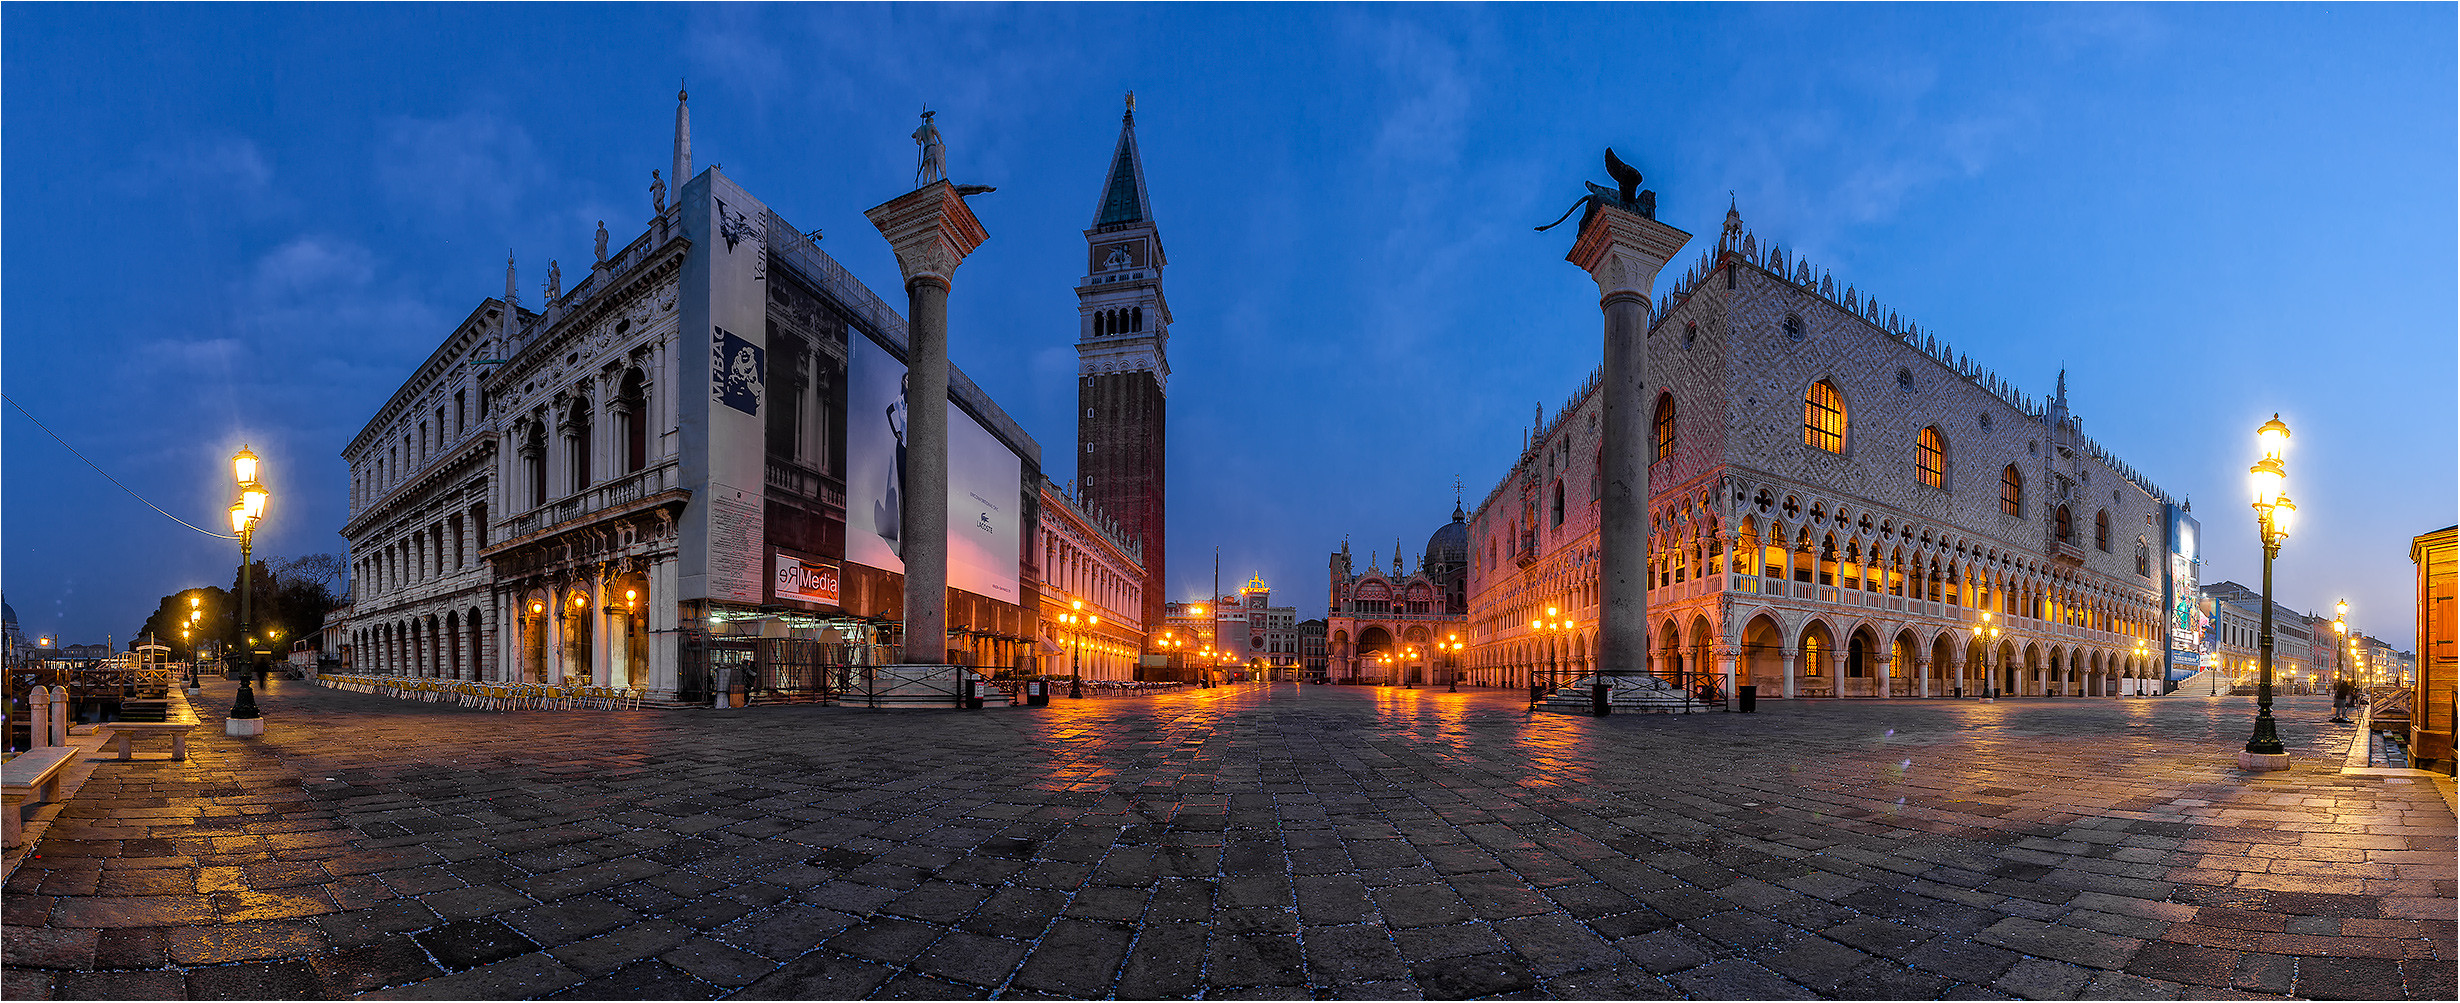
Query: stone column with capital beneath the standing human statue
[{"x": 931, "y": 230}]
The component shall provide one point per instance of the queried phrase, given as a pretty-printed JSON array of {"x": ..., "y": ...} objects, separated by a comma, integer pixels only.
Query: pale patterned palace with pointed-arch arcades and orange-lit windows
[{"x": 1841, "y": 505}]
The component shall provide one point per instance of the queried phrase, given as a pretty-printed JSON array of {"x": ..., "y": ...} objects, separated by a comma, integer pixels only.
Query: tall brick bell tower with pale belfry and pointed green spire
[{"x": 1123, "y": 365}]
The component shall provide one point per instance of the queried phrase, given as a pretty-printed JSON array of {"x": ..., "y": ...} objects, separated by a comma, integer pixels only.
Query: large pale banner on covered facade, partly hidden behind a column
[{"x": 983, "y": 481}]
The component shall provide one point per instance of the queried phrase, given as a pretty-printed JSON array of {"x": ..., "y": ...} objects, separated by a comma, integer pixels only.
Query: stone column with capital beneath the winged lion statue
[{"x": 1622, "y": 250}]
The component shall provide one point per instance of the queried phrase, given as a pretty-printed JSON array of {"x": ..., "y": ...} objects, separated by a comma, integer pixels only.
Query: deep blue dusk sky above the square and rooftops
[{"x": 252, "y": 222}]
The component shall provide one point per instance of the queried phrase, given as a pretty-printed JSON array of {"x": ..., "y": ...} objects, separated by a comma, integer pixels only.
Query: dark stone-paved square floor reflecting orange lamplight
[{"x": 1268, "y": 842}]
